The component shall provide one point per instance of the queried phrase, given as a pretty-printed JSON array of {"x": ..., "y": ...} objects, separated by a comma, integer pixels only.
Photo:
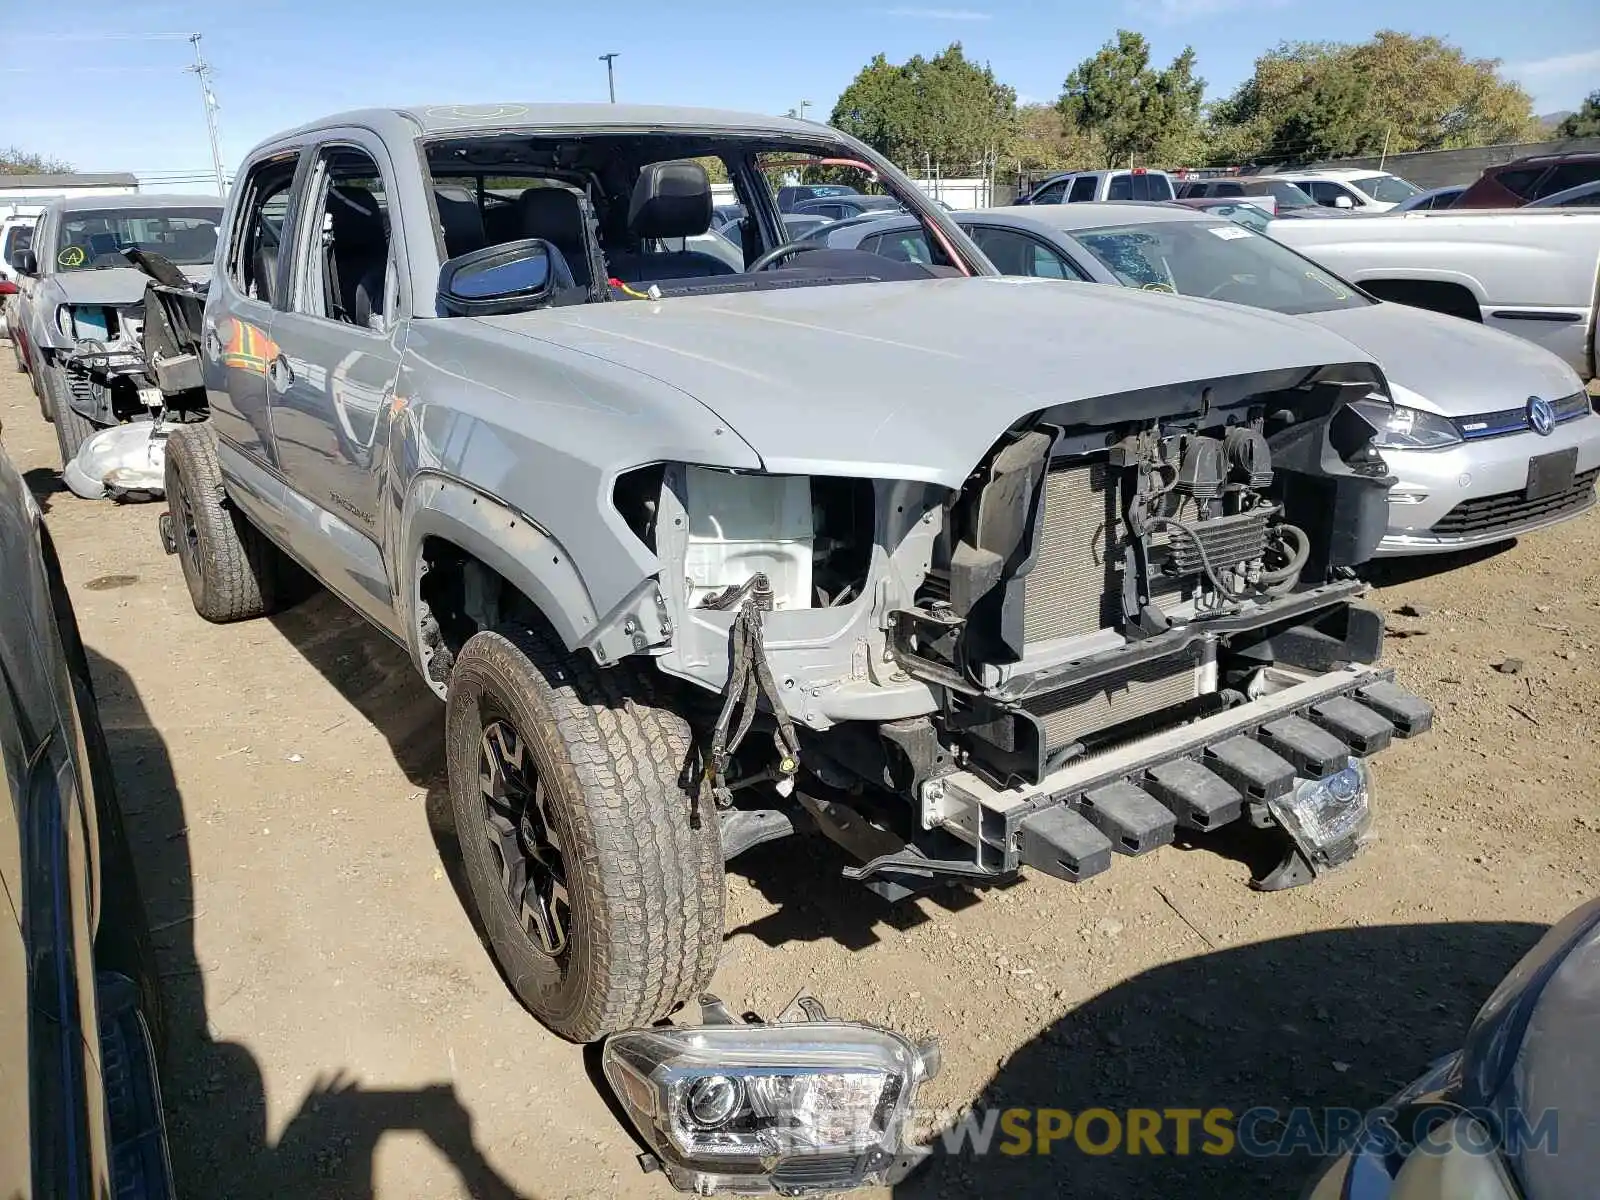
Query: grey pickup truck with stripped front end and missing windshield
[{"x": 964, "y": 572}]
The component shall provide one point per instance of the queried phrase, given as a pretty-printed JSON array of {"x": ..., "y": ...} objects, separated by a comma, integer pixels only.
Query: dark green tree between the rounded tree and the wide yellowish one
[{"x": 1132, "y": 110}]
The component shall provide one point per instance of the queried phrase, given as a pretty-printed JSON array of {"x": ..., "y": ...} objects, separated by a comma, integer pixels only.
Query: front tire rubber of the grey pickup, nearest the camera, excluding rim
[{"x": 641, "y": 855}]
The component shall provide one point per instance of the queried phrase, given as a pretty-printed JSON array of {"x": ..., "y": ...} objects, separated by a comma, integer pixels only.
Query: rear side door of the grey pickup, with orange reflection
[{"x": 236, "y": 335}]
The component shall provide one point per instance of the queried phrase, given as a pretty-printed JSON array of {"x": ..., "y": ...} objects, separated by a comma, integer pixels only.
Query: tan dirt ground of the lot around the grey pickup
[{"x": 338, "y": 1030}]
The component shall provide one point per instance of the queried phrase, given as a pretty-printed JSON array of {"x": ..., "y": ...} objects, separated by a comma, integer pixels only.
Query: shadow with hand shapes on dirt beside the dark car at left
[{"x": 215, "y": 1092}]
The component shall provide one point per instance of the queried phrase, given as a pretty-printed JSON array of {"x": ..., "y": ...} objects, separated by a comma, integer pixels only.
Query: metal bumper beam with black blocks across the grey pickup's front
[{"x": 1202, "y": 777}]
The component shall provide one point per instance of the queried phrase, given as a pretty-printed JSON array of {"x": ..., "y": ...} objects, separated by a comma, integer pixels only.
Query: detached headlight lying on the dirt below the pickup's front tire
[{"x": 790, "y": 1108}]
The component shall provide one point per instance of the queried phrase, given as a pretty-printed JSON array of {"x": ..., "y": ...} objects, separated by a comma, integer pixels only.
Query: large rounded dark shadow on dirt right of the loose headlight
[{"x": 1332, "y": 1018}]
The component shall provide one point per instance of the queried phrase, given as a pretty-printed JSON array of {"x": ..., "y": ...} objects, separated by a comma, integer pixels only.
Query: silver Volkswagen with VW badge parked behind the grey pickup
[{"x": 1494, "y": 436}]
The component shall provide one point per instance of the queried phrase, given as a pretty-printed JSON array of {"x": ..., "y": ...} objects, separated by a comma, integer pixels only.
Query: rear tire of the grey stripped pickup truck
[{"x": 233, "y": 570}]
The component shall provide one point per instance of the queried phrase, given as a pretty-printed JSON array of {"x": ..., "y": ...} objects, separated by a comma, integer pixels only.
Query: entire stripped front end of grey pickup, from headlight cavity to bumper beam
[{"x": 1092, "y": 591}]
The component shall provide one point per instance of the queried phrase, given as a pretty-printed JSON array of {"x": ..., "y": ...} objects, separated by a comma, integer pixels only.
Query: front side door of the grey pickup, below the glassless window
[{"x": 340, "y": 342}]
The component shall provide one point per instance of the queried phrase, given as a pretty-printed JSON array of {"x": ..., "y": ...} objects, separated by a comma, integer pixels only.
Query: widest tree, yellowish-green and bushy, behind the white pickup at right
[{"x": 1398, "y": 92}]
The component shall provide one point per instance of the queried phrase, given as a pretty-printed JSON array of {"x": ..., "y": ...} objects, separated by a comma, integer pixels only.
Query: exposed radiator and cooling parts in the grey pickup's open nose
[{"x": 1057, "y": 551}]
